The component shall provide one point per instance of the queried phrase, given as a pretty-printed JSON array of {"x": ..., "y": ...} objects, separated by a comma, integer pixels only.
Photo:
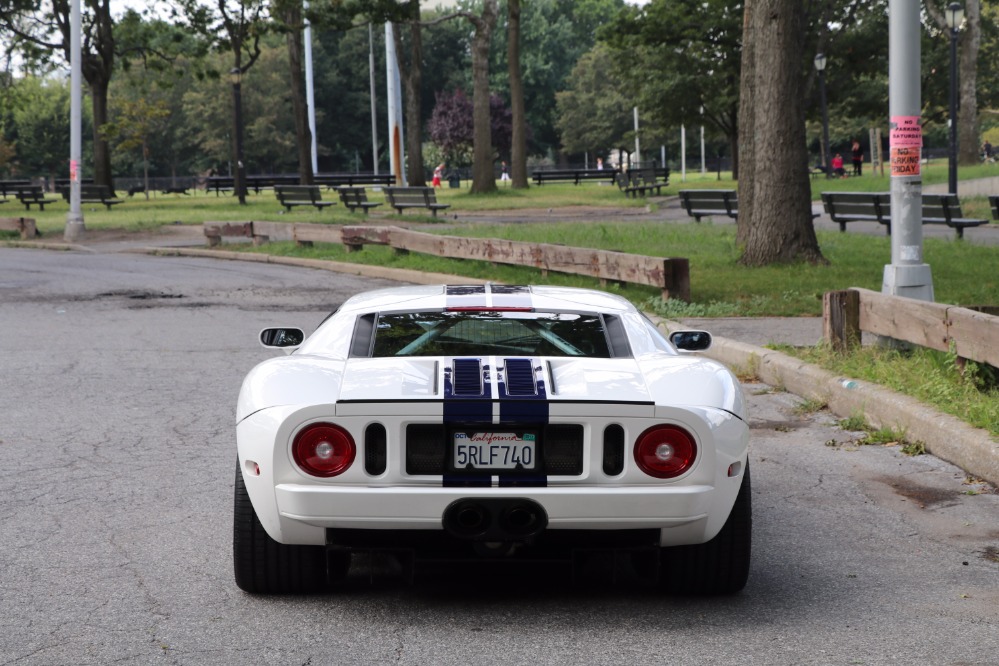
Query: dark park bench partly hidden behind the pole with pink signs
[{"x": 876, "y": 207}]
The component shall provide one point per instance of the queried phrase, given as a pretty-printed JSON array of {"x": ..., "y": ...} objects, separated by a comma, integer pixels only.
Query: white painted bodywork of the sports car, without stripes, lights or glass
[{"x": 320, "y": 382}]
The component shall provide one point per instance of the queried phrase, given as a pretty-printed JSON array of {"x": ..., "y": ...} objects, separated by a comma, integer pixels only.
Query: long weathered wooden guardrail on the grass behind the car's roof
[{"x": 670, "y": 275}]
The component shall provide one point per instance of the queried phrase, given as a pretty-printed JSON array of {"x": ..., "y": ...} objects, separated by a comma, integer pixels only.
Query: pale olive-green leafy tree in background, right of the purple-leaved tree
[{"x": 595, "y": 112}]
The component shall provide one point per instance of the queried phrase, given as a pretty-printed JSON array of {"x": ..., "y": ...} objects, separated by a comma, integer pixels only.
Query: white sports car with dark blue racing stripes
[{"x": 490, "y": 421}]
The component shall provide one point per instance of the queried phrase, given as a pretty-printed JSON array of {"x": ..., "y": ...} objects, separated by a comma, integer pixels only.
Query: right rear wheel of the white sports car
[{"x": 720, "y": 566}]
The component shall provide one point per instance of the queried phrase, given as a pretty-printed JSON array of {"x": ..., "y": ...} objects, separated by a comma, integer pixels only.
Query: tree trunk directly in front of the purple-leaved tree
[{"x": 483, "y": 177}]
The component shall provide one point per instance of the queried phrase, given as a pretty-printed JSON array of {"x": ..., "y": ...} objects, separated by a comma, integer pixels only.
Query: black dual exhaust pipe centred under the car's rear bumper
[{"x": 495, "y": 519}]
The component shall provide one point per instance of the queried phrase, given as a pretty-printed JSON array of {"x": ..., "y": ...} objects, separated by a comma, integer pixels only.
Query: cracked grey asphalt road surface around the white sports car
[{"x": 119, "y": 376}]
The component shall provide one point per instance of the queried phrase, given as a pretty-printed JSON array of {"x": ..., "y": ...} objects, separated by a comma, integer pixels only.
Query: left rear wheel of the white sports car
[{"x": 264, "y": 566}]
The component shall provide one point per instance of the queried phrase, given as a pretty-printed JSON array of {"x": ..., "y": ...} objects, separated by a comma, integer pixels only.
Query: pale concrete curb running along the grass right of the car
[{"x": 947, "y": 437}]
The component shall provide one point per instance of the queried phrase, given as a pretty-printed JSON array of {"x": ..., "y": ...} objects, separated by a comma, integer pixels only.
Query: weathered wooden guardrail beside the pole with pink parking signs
[{"x": 972, "y": 334}]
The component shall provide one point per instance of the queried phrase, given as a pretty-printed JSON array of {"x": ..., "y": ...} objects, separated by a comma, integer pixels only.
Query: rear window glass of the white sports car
[{"x": 487, "y": 333}]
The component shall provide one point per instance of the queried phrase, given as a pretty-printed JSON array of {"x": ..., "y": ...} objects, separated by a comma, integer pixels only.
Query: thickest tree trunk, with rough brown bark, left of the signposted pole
[{"x": 775, "y": 209}]
